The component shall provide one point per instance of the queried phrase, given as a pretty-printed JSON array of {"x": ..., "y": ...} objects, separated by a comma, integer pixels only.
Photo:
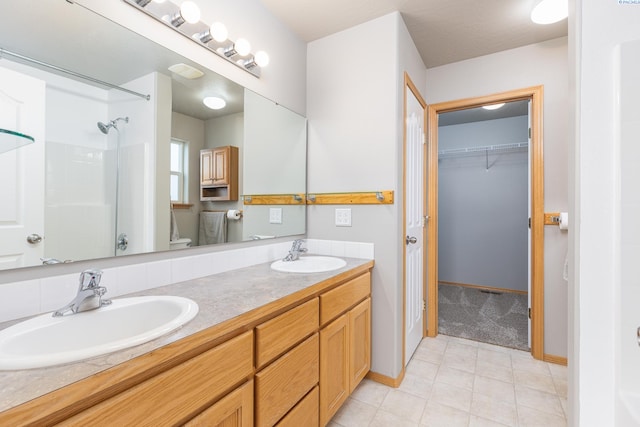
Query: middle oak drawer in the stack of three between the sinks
[{"x": 282, "y": 384}]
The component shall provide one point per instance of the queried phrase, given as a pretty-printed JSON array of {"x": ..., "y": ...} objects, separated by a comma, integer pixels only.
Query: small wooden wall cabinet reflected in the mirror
[{"x": 219, "y": 174}]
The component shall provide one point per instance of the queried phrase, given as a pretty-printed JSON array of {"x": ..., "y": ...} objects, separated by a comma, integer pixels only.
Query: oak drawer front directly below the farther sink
[{"x": 338, "y": 300}]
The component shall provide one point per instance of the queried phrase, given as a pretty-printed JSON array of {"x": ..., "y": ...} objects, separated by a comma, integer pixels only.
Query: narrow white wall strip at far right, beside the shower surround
[{"x": 596, "y": 28}]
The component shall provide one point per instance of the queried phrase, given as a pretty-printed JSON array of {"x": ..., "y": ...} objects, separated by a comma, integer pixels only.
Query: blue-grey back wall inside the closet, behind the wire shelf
[{"x": 482, "y": 213}]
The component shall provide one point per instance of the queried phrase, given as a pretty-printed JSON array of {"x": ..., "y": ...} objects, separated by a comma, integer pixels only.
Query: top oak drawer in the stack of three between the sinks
[{"x": 278, "y": 335}]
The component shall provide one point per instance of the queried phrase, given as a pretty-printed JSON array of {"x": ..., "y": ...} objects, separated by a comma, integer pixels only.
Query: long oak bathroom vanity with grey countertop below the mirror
[{"x": 267, "y": 348}]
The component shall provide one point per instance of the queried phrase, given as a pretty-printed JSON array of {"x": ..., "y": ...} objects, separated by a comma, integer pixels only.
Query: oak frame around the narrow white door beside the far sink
[{"x": 409, "y": 85}]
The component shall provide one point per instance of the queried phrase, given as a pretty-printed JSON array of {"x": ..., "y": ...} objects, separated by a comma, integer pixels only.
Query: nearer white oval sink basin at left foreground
[{"x": 47, "y": 341}]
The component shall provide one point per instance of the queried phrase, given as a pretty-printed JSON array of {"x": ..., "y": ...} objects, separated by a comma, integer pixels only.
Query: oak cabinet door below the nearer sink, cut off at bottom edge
[{"x": 234, "y": 410}]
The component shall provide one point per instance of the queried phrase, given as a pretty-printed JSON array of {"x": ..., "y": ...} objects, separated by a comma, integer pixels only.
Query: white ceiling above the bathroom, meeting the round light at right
[{"x": 444, "y": 31}]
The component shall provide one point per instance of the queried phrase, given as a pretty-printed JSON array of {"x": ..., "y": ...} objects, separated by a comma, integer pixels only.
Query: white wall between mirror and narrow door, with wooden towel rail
[{"x": 354, "y": 111}]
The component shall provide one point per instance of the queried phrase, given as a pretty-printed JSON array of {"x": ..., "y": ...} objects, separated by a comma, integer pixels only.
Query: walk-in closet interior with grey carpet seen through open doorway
[{"x": 483, "y": 234}]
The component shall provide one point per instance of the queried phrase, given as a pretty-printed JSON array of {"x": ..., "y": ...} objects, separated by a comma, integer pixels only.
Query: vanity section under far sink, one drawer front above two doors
[{"x": 345, "y": 342}]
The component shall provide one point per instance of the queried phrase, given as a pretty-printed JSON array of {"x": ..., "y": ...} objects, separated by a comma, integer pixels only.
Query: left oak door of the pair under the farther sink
[{"x": 334, "y": 367}]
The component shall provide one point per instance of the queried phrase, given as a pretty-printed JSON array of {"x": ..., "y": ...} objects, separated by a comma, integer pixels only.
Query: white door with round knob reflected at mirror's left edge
[{"x": 22, "y": 109}]
